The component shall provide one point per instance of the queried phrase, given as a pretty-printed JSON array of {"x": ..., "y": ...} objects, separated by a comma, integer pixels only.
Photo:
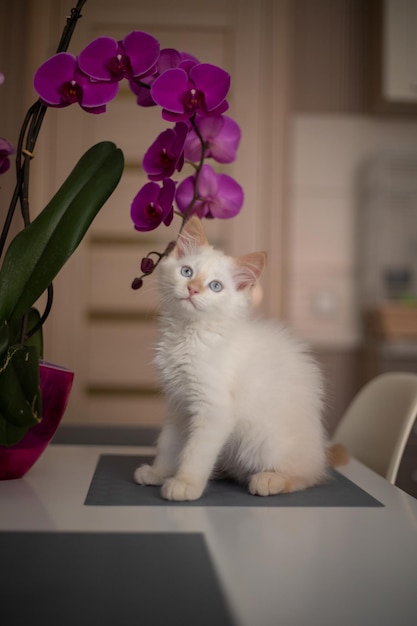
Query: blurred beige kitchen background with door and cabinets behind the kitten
[{"x": 325, "y": 92}]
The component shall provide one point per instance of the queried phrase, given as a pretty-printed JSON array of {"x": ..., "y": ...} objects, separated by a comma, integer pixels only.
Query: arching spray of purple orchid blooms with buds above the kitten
[{"x": 192, "y": 95}]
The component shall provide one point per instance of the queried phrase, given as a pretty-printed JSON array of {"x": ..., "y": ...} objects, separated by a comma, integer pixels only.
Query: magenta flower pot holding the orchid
[{"x": 55, "y": 383}]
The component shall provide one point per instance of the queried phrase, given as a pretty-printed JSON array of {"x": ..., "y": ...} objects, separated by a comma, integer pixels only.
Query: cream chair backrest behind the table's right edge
[{"x": 377, "y": 424}]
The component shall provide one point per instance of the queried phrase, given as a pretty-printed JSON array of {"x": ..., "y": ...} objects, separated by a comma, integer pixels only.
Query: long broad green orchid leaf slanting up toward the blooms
[{"x": 37, "y": 253}]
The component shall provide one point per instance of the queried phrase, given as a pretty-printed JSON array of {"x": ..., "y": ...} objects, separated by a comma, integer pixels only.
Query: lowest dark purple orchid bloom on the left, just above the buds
[{"x": 153, "y": 205}]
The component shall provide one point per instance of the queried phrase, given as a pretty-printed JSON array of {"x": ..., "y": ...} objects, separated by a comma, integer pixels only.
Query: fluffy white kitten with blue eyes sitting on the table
[{"x": 244, "y": 396}]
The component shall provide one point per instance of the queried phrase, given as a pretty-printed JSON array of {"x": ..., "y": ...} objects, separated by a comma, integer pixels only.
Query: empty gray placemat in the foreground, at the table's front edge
[{"x": 109, "y": 579}]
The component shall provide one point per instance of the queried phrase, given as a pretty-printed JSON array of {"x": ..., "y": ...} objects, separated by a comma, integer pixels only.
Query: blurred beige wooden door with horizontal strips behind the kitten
[{"x": 99, "y": 325}]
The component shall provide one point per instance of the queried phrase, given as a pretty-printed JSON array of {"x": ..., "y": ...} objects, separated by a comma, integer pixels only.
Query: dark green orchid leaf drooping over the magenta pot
[{"x": 20, "y": 396}]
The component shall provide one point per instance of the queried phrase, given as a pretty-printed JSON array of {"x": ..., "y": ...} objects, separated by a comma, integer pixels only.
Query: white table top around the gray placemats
[{"x": 288, "y": 566}]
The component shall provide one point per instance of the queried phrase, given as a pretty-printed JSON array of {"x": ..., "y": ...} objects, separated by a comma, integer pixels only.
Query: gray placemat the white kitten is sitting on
[{"x": 112, "y": 485}]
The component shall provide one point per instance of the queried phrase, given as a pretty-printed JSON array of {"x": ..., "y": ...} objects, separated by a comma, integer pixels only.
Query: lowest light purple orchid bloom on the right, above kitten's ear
[{"x": 219, "y": 195}]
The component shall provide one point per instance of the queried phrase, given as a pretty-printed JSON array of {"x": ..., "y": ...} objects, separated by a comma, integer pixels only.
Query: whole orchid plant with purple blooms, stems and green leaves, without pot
[{"x": 192, "y": 97}]
